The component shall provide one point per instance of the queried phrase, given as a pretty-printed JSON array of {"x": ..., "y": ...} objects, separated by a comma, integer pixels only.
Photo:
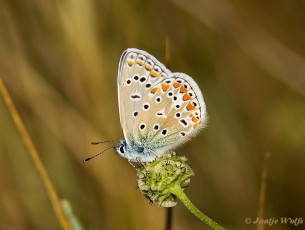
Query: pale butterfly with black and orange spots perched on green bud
[{"x": 159, "y": 110}]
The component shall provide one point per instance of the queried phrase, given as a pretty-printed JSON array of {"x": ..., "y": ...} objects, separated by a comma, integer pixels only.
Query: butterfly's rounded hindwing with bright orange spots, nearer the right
[{"x": 171, "y": 113}]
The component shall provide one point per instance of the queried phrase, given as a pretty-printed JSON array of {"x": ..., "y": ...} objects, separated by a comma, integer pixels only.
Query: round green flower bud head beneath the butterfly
[{"x": 159, "y": 179}]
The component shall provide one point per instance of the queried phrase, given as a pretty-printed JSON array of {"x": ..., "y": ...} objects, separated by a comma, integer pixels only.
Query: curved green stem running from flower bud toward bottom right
[{"x": 181, "y": 195}]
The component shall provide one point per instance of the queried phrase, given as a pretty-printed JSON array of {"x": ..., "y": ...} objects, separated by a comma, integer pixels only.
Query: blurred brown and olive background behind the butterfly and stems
[{"x": 59, "y": 61}]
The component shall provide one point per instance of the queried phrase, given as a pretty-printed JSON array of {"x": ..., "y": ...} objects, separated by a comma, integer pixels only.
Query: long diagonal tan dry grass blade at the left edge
[{"x": 35, "y": 157}]
